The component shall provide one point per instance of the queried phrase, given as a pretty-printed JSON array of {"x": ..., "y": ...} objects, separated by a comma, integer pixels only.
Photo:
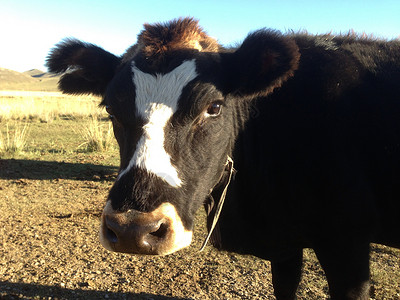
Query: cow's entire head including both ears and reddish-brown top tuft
[{"x": 177, "y": 100}]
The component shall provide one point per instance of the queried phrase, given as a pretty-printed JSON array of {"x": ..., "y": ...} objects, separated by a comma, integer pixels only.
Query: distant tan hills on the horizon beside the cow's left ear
[{"x": 32, "y": 80}]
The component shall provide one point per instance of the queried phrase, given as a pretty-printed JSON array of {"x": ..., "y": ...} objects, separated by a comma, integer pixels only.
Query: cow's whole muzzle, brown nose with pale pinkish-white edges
[{"x": 159, "y": 232}]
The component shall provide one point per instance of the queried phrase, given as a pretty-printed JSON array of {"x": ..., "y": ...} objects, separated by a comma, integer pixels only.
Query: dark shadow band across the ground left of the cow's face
[{"x": 42, "y": 170}]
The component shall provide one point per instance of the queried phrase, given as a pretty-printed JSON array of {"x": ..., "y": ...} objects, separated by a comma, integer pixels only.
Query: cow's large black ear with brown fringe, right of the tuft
[{"x": 262, "y": 63}]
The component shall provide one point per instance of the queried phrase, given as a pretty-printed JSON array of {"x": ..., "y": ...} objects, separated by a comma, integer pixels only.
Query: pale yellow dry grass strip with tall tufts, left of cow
[{"x": 21, "y": 108}]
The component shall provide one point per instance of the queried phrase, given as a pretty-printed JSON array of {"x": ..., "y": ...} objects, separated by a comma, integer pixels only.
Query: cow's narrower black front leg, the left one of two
[{"x": 286, "y": 276}]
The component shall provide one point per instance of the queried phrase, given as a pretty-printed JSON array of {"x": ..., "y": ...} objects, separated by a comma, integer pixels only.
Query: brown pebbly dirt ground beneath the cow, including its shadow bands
[{"x": 49, "y": 249}]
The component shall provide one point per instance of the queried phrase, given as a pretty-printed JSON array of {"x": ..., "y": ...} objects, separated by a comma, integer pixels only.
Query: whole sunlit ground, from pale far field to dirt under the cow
[{"x": 52, "y": 192}]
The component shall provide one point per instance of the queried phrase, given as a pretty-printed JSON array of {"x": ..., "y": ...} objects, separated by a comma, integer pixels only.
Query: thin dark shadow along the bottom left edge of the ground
[{"x": 10, "y": 290}]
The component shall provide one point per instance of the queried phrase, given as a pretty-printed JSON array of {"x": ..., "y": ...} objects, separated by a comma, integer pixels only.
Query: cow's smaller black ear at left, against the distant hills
[{"x": 87, "y": 68}]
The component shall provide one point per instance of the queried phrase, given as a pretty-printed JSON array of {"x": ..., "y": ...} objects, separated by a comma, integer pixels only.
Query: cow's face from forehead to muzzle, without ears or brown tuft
[{"x": 165, "y": 124}]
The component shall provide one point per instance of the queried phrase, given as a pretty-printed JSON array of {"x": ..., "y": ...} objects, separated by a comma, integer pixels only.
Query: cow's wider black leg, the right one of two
[{"x": 346, "y": 266}]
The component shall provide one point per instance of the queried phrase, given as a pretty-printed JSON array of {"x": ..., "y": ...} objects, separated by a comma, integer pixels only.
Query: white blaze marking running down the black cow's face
[{"x": 156, "y": 101}]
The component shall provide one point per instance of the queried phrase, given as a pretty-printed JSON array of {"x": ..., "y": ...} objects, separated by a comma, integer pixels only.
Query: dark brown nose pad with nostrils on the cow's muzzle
[{"x": 134, "y": 236}]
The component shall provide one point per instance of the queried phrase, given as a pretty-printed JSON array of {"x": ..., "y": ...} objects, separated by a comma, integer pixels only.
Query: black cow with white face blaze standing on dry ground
[{"x": 312, "y": 124}]
